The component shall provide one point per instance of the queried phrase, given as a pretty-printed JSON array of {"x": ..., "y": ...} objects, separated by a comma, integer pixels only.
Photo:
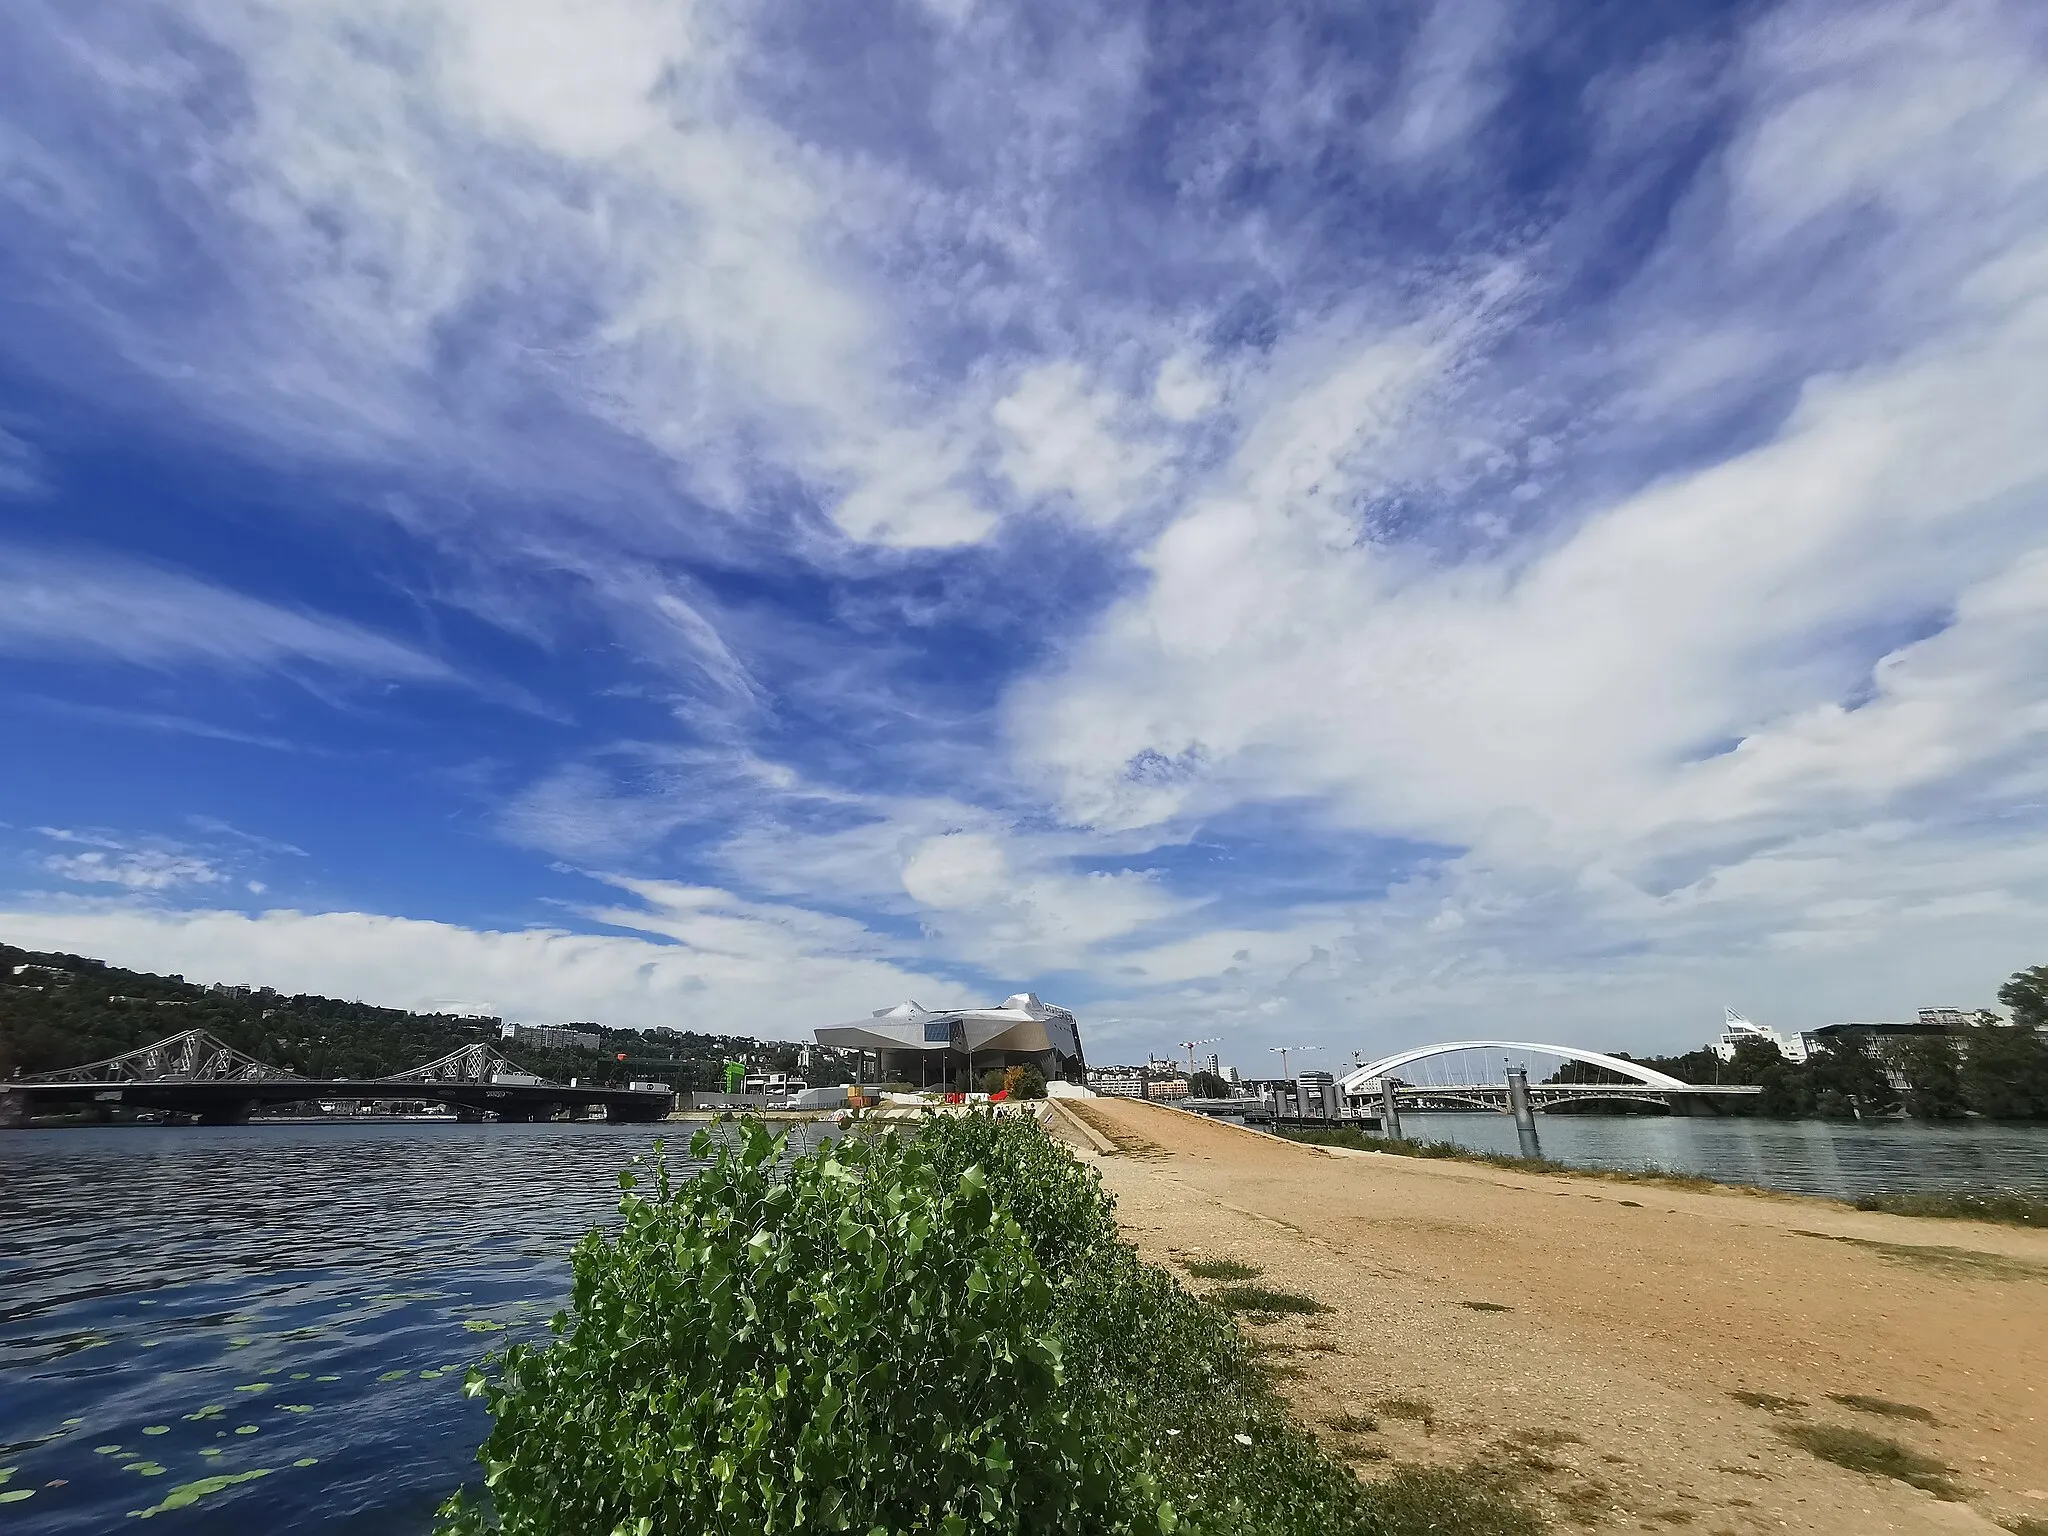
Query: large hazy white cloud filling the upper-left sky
[{"x": 587, "y": 202}]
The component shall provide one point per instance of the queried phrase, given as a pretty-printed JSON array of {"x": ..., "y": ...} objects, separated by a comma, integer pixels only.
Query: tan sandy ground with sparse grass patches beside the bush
[{"x": 1590, "y": 1336}]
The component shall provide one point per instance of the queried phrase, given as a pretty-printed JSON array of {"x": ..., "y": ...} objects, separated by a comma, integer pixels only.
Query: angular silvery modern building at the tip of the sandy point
[{"x": 931, "y": 1048}]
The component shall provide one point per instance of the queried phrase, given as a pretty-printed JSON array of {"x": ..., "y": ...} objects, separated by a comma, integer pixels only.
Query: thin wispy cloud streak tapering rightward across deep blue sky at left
[{"x": 155, "y": 617}]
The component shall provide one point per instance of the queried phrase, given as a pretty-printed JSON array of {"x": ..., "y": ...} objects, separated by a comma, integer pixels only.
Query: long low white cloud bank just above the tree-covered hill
[{"x": 732, "y": 972}]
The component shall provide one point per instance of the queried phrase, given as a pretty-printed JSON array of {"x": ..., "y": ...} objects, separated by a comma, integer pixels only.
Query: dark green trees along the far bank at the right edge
[{"x": 1992, "y": 1068}]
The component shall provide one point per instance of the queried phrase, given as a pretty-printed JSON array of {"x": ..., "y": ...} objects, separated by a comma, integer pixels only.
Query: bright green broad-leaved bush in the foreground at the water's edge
[{"x": 847, "y": 1342}]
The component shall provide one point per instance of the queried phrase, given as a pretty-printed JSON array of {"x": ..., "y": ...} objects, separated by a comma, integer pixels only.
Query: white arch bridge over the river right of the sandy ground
[{"x": 1474, "y": 1074}]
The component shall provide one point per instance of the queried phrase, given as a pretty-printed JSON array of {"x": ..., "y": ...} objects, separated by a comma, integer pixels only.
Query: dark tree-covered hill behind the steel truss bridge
[{"x": 65, "y": 1011}]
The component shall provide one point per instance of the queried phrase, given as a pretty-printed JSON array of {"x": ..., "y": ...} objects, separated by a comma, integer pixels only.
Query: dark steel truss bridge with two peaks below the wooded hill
[{"x": 196, "y": 1074}]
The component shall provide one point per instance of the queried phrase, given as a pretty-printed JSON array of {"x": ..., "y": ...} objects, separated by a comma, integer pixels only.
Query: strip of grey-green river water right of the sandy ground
[{"x": 1803, "y": 1156}]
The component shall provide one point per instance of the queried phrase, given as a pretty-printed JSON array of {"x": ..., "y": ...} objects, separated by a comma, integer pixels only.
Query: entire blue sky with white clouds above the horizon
[{"x": 1332, "y": 525}]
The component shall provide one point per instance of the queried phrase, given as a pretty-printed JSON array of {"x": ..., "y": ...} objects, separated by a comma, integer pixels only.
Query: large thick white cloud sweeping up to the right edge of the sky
[{"x": 1277, "y": 652}]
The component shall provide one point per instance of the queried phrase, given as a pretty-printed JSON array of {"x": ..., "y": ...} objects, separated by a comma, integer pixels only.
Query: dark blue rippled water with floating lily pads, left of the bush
[{"x": 280, "y": 1316}]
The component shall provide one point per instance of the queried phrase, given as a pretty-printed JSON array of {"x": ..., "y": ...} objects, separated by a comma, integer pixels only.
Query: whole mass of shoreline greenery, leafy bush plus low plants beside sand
[{"x": 931, "y": 1332}]
